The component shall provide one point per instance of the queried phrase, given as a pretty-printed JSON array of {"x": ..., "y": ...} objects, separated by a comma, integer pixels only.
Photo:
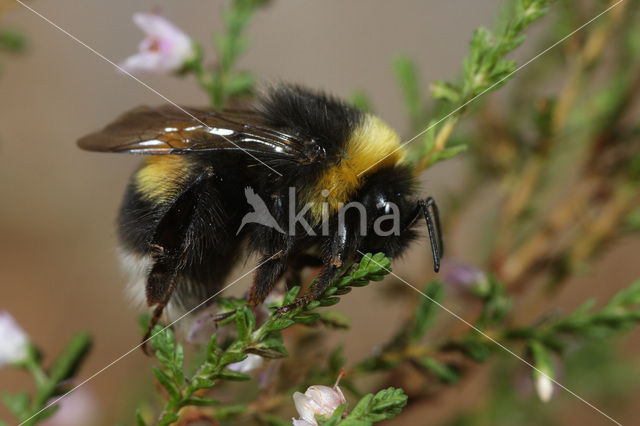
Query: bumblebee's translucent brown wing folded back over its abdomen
[{"x": 169, "y": 130}]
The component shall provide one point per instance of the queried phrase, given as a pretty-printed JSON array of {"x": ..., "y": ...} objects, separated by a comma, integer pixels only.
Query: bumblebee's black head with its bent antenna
[{"x": 393, "y": 213}]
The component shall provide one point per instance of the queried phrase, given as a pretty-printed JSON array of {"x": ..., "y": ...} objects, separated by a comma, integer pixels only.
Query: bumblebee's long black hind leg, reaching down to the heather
[{"x": 169, "y": 244}]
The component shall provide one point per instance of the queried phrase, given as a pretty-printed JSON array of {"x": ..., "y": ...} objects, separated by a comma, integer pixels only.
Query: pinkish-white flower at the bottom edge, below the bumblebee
[{"x": 317, "y": 400}]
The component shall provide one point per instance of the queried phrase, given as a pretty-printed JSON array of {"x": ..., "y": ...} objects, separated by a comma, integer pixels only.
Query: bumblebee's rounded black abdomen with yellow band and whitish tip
[{"x": 204, "y": 211}]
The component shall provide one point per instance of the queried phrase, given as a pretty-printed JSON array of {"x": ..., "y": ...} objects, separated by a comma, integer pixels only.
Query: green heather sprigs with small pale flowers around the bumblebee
[{"x": 565, "y": 167}]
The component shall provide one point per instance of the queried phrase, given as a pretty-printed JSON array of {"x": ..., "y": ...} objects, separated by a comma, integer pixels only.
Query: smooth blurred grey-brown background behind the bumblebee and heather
[{"x": 58, "y": 269}]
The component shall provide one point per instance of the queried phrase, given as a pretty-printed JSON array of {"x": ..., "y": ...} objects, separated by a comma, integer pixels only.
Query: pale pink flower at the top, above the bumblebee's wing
[{"x": 164, "y": 50}]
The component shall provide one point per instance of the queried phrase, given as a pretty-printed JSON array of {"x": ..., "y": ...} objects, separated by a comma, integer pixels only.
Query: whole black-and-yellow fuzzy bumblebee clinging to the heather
[{"x": 190, "y": 212}]
